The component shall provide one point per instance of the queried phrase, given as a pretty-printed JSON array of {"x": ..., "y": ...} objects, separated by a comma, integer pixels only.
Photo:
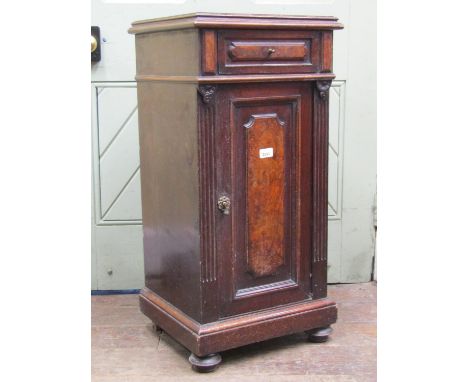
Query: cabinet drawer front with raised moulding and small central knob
[{"x": 264, "y": 52}]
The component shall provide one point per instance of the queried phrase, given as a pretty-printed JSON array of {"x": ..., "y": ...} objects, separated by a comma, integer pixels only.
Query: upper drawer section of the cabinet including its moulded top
[{"x": 220, "y": 48}]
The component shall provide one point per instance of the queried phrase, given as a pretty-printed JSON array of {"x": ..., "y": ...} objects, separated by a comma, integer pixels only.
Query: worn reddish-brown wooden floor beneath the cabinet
[{"x": 124, "y": 347}]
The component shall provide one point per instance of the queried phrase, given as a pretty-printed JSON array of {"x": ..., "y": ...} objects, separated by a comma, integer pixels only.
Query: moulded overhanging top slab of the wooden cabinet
[{"x": 232, "y": 20}]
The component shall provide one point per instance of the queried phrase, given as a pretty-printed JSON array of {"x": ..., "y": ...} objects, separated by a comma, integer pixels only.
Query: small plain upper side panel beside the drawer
[{"x": 168, "y": 53}]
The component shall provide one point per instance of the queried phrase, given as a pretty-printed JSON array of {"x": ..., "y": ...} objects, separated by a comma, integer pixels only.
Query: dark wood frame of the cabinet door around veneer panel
[{"x": 242, "y": 290}]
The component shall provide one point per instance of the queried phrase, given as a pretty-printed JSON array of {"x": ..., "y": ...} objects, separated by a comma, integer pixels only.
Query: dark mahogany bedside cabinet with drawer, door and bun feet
[{"x": 233, "y": 121}]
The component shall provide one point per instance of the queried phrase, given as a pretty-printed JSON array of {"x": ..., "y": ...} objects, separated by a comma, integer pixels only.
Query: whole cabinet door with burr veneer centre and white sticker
[{"x": 264, "y": 168}]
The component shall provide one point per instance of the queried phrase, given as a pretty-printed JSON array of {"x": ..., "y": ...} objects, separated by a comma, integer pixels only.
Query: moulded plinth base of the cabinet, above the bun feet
[{"x": 232, "y": 332}]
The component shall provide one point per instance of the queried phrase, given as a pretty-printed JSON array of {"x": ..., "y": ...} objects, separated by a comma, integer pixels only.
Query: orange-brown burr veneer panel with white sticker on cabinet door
[{"x": 265, "y": 193}]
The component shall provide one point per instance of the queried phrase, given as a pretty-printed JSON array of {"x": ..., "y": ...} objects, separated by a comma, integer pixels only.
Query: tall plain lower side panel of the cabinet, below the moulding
[{"x": 170, "y": 192}]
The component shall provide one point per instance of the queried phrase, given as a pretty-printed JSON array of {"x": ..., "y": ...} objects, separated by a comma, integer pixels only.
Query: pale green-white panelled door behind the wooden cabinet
[{"x": 117, "y": 239}]
